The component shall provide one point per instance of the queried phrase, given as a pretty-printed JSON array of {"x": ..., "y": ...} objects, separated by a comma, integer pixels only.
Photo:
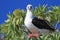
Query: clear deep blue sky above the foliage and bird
[{"x": 7, "y": 6}]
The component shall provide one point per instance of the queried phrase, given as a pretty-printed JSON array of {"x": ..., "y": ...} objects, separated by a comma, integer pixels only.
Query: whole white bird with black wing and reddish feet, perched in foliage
[{"x": 35, "y": 25}]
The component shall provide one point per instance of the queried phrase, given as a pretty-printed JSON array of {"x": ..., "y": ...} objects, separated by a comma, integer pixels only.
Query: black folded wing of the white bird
[{"x": 41, "y": 24}]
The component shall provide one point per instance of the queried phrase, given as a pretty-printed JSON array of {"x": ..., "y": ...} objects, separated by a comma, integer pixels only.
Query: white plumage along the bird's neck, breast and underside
[{"x": 30, "y": 26}]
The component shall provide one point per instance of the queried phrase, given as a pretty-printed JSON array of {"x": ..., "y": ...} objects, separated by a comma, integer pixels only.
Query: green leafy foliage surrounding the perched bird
[{"x": 13, "y": 28}]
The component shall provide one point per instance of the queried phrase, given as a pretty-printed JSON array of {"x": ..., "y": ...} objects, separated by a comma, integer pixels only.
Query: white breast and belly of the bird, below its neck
[{"x": 30, "y": 26}]
